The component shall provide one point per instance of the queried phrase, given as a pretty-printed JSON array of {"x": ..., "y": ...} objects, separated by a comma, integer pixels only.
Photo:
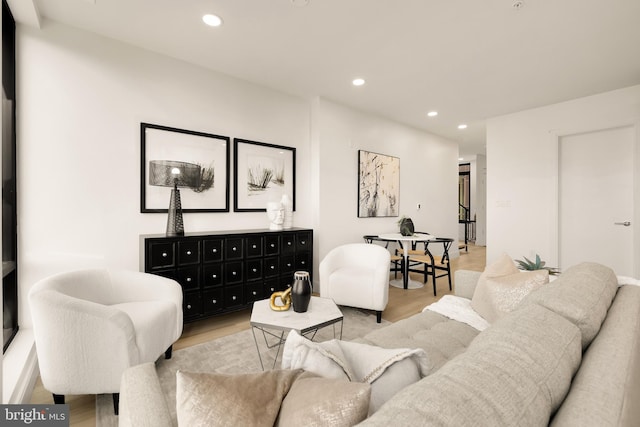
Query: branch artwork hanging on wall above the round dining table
[{"x": 378, "y": 185}]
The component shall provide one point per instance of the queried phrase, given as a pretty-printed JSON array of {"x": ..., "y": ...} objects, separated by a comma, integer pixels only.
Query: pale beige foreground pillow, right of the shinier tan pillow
[{"x": 314, "y": 401}]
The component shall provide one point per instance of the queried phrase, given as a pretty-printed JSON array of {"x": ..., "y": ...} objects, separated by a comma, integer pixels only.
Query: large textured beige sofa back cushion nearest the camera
[{"x": 515, "y": 373}]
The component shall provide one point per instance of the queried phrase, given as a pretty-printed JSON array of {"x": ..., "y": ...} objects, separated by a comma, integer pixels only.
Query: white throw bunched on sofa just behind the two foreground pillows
[{"x": 387, "y": 370}]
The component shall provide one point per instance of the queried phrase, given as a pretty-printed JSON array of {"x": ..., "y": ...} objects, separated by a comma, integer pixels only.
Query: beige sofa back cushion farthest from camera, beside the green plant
[{"x": 582, "y": 294}]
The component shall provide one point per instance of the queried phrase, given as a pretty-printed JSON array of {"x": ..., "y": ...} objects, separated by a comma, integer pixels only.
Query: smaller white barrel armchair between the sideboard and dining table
[{"x": 357, "y": 275}]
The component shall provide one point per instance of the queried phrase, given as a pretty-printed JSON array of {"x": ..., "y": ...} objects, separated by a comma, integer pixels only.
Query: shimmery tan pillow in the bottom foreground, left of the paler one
[{"x": 231, "y": 400}]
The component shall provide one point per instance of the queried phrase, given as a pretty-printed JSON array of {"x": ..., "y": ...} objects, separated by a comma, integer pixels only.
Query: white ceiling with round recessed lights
[{"x": 467, "y": 59}]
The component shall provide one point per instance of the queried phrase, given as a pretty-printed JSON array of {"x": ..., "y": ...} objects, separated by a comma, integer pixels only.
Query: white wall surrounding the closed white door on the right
[{"x": 522, "y": 169}]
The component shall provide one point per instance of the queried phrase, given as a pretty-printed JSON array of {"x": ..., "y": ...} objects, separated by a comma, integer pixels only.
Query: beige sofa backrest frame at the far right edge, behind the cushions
[{"x": 605, "y": 391}]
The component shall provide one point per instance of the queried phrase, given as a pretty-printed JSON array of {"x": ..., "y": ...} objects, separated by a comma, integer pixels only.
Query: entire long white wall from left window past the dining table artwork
[{"x": 82, "y": 98}]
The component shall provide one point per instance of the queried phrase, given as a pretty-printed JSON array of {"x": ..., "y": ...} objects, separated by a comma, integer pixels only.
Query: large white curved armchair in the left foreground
[{"x": 91, "y": 325}]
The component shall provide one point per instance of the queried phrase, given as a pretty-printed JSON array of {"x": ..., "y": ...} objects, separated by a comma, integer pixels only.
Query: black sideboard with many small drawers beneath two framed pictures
[{"x": 228, "y": 270}]
